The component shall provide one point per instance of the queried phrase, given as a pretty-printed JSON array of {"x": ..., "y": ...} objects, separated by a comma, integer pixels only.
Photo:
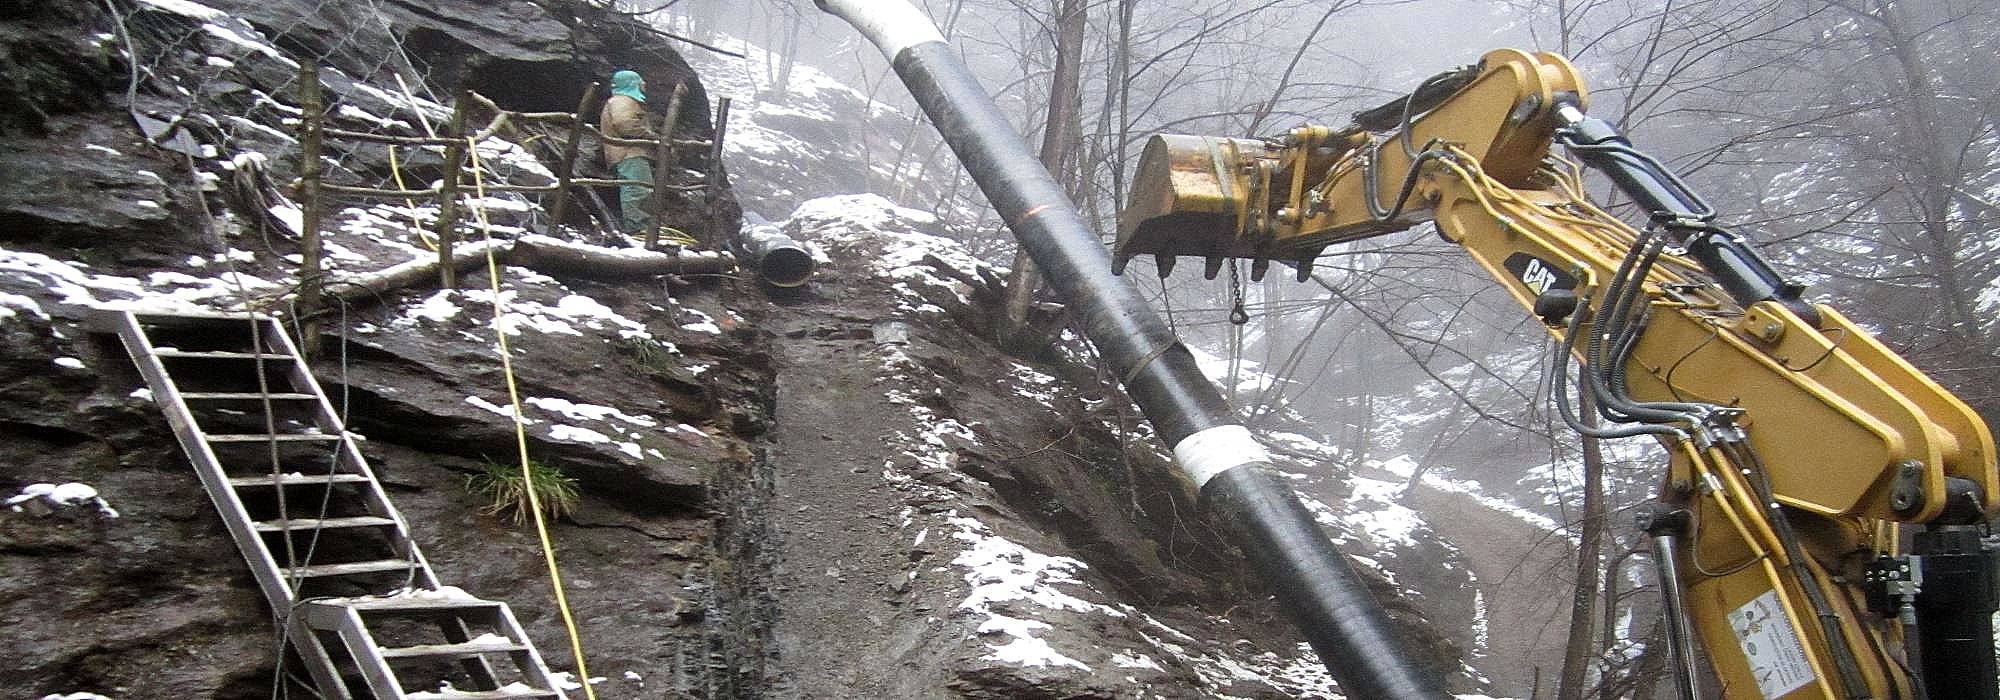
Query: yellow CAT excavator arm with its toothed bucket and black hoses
[{"x": 1807, "y": 457}]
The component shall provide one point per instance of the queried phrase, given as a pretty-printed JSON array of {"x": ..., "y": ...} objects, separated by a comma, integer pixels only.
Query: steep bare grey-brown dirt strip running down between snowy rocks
[{"x": 843, "y": 629}]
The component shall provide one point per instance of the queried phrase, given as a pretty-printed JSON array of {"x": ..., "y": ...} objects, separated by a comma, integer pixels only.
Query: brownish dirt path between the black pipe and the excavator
[{"x": 1525, "y": 581}]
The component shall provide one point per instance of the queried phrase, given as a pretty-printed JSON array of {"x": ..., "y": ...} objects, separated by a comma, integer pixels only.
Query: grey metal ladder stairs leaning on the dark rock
[{"x": 313, "y": 521}]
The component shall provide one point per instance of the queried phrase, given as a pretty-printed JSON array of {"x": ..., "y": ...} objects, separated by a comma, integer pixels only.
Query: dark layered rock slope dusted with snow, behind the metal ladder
[{"x": 821, "y": 493}]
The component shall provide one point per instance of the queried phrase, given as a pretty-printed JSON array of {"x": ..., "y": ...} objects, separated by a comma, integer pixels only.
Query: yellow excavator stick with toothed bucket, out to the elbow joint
[{"x": 1293, "y": 195}]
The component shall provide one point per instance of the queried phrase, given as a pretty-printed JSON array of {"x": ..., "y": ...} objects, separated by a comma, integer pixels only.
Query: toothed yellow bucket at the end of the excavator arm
[{"x": 1189, "y": 199}]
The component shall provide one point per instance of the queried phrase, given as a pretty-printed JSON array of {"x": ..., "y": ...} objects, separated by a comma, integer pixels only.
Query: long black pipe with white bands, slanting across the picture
[{"x": 1315, "y": 583}]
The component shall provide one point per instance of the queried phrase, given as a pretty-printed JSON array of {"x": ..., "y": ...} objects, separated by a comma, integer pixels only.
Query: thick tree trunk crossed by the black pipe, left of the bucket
[{"x": 1059, "y": 143}]
